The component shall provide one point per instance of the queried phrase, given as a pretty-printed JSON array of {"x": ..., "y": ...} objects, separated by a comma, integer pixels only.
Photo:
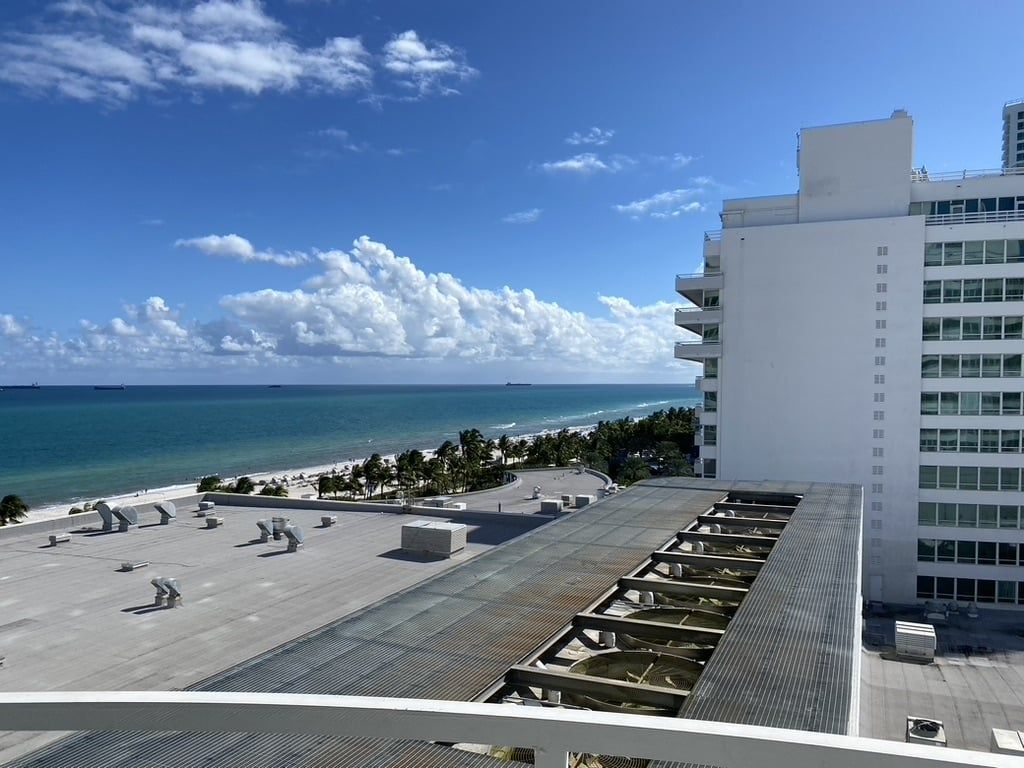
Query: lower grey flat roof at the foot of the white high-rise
[{"x": 976, "y": 684}]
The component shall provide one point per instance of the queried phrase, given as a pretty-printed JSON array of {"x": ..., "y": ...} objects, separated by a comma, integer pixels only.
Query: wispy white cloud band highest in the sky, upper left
[{"x": 91, "y": 51}]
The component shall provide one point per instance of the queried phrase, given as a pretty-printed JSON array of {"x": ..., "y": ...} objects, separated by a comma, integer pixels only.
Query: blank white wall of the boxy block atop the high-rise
[{"x": 858, "y": 170}]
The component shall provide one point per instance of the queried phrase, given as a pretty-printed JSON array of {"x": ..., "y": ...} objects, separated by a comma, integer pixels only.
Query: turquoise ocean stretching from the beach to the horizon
[{"x": 68, "y": 444}]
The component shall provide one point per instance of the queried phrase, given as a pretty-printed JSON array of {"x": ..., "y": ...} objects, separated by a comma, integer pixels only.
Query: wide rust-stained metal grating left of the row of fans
[{"x": 447, "y": 638}]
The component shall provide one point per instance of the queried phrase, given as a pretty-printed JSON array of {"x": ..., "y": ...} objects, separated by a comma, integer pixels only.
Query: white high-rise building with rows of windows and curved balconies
[{"x": 869, "y": 329}]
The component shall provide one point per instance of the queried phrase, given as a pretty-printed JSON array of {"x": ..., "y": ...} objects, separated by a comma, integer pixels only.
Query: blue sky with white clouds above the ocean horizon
[{"x": 291, "y": 191}]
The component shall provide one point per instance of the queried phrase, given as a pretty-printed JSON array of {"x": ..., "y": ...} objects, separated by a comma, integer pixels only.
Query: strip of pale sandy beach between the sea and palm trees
[{"x": 297, "y": 487}]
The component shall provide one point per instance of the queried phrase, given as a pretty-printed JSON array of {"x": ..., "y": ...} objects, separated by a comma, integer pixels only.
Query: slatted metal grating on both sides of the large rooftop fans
[{"x": 452, "y": 636}]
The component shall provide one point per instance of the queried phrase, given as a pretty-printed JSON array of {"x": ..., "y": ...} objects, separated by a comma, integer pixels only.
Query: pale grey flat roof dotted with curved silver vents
[{"x": 72, "y": 621}]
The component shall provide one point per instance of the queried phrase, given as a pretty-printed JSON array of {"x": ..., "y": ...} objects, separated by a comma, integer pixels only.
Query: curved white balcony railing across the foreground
[{"x": 552, "y": 733}]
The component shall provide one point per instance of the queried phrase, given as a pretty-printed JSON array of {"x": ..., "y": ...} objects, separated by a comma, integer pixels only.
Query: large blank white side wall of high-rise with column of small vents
[{"x": 798, "y": 383}]
